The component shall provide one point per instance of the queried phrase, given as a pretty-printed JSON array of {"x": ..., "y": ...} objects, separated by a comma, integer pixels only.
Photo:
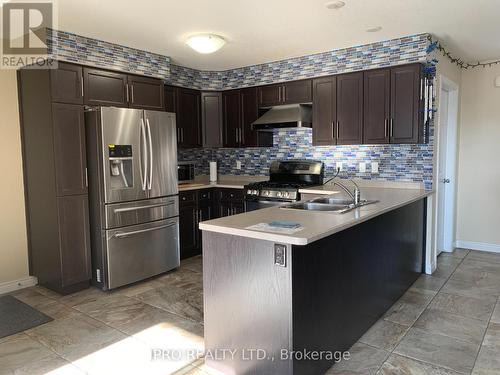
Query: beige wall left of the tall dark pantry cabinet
[{"x": 13, "y": 240}]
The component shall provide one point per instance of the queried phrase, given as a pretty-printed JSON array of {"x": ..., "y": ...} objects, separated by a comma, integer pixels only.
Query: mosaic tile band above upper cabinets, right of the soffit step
[{"x": 369, "y": 56}]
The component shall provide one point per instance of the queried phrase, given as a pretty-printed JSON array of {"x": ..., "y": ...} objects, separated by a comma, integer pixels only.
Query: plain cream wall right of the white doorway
[{"x": 478, "y": 199}]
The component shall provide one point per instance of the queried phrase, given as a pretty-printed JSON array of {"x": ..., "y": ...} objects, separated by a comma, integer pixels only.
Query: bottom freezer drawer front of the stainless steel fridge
[{"x": 141, "y": 251}]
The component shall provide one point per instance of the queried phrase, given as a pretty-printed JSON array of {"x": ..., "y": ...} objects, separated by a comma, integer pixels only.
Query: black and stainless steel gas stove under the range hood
[{"x": 285, "y": 180}]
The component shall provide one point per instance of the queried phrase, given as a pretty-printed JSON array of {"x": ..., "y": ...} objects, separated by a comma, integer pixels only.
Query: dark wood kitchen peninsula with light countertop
[{"x": 316, "y": 288}]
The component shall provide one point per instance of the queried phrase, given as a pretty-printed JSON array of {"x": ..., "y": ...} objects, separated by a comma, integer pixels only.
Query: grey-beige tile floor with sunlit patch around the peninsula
[{"x": 447, "y": 323}]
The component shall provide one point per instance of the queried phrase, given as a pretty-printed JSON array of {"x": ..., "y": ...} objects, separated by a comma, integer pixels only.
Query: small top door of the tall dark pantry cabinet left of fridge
[{"x": 66, "y": 83}]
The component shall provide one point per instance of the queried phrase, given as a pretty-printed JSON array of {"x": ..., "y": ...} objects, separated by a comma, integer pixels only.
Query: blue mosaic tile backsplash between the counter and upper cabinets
[{"x": 411, "y": 163}]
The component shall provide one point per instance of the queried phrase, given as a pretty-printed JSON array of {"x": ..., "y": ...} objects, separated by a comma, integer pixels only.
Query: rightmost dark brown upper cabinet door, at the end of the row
[{"x": 405, "y": 100}]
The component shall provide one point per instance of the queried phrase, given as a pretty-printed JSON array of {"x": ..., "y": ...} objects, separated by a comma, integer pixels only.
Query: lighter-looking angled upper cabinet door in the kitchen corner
[{"x": 211, "y": 119}]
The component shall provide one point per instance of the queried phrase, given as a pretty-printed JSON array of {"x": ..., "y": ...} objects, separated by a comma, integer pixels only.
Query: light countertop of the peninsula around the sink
[{"x": 315, "y": 224}]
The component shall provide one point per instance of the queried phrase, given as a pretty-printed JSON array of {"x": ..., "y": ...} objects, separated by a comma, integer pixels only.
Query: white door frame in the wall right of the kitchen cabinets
[{"x": 450, "y": 153}]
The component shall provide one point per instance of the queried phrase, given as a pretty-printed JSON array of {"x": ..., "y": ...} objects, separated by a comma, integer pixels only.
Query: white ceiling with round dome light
[{"x": 260, "y": 31}]
